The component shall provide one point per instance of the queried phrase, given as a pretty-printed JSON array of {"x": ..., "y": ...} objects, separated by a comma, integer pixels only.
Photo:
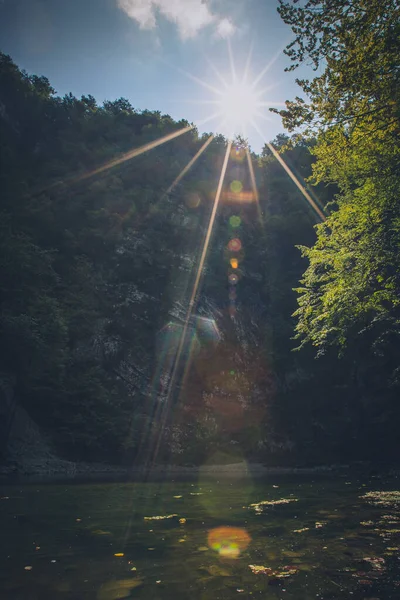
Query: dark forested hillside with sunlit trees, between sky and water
[{"x": 290, "y": 352}]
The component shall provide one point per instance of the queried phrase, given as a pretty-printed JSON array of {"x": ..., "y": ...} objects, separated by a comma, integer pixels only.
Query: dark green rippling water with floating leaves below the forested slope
[{"x": 61, "y": 541}]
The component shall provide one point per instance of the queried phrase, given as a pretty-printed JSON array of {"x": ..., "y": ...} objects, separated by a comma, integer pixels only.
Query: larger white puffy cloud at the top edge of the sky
[{"x": 190, "y": 16}]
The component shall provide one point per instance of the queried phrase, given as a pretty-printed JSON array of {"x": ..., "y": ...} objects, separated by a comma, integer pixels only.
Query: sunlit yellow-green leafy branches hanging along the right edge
[{"x": 352, "y": 282}]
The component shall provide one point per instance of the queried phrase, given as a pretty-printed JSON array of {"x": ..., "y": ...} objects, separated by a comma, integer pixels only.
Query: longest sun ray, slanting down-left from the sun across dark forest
[{"x": 193, "y": 296}]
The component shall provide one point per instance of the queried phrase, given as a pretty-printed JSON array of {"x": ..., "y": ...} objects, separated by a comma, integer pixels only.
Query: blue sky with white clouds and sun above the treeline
[{"x": 167, "y": 55}]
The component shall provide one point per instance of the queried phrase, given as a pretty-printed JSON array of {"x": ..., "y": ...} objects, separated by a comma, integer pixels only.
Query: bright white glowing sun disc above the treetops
[{"x": 239, "y": 104}]
